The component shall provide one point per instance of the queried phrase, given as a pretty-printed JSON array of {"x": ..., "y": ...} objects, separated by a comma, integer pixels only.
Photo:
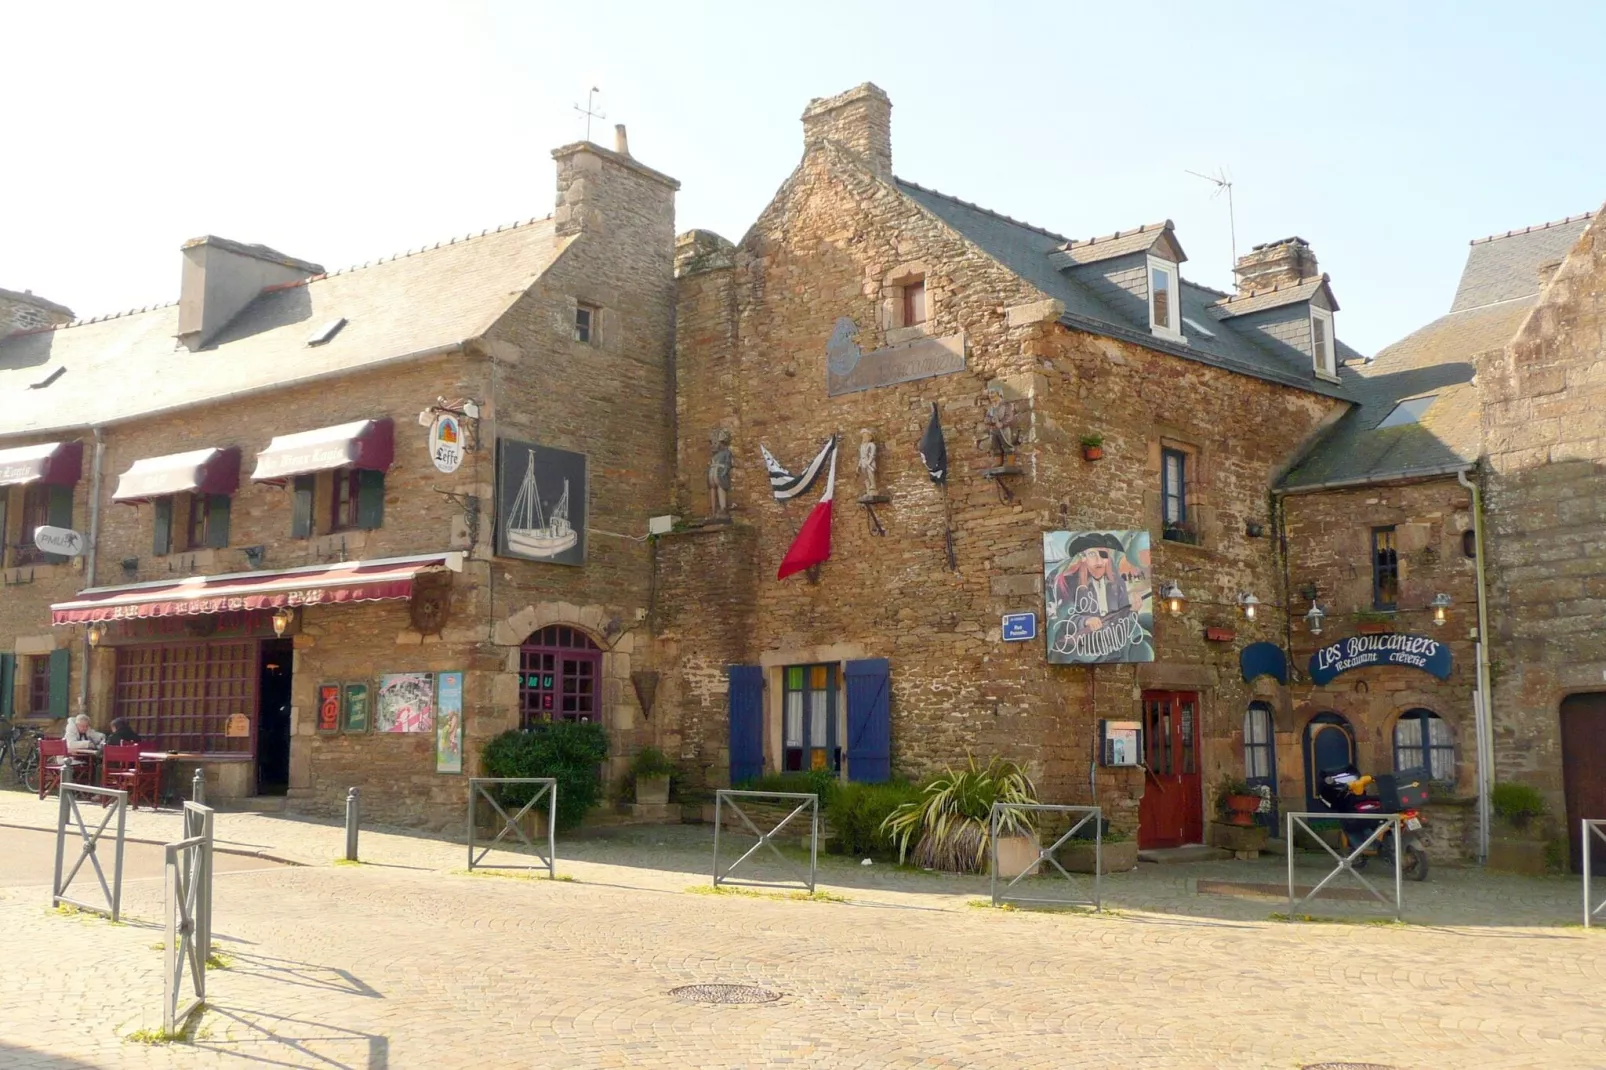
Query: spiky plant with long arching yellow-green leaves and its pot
[{"x": 950, "y": 825}]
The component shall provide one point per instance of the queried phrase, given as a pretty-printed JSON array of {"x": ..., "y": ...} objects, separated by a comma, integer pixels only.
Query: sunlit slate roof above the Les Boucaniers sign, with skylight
[{"x": 1499, "y": 288}]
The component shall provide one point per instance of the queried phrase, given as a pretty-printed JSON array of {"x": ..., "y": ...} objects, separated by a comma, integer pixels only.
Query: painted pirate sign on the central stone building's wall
[{"x": 1099, "y": 598}]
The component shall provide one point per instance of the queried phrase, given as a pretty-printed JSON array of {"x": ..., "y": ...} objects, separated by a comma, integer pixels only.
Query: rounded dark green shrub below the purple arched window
[{"x": 566, "y": 751}]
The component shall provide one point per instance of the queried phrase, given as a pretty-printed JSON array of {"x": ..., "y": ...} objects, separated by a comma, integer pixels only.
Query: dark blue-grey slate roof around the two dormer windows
[{"x": 1032, "y": 253}]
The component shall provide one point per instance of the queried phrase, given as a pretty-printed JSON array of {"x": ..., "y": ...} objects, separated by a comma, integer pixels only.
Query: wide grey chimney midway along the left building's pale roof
[{"x": 222, "y": 277}]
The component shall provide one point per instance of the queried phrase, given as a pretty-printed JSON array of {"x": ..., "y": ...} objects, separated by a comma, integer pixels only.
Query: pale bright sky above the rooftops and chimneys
[{"x": 340, "y": 133}]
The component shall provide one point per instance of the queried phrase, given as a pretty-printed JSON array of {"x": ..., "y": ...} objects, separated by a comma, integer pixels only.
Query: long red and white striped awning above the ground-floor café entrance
[{"x": 312, "y": 586}]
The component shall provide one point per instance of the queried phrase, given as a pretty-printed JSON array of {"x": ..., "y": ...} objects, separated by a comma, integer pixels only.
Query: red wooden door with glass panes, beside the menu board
[{"x": 1173, "y": 807}]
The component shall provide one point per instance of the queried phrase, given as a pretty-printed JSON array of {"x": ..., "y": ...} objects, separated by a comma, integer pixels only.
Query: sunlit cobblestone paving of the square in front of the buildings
[{"x": 410, "y": 963}]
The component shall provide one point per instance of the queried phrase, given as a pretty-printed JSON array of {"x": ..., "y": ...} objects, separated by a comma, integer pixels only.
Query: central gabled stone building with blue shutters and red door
[{"x": 863, "y": 303}]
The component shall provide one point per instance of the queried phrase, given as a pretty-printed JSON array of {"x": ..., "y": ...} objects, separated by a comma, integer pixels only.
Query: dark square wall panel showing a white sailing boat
[{"x": 540, "y": 504}]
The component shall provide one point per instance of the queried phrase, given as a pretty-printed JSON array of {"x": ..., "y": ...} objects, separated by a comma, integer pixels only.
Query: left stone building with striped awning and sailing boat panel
[{"x": 340, "y": 528}]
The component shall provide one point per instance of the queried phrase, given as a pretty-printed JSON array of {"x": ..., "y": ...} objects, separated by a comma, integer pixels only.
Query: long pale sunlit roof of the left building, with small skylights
[{"x": 132, "y": 366}]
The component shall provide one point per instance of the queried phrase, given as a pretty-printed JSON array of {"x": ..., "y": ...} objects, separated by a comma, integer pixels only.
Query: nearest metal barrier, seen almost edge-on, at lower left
[{"x": 189, "y": 917}]
